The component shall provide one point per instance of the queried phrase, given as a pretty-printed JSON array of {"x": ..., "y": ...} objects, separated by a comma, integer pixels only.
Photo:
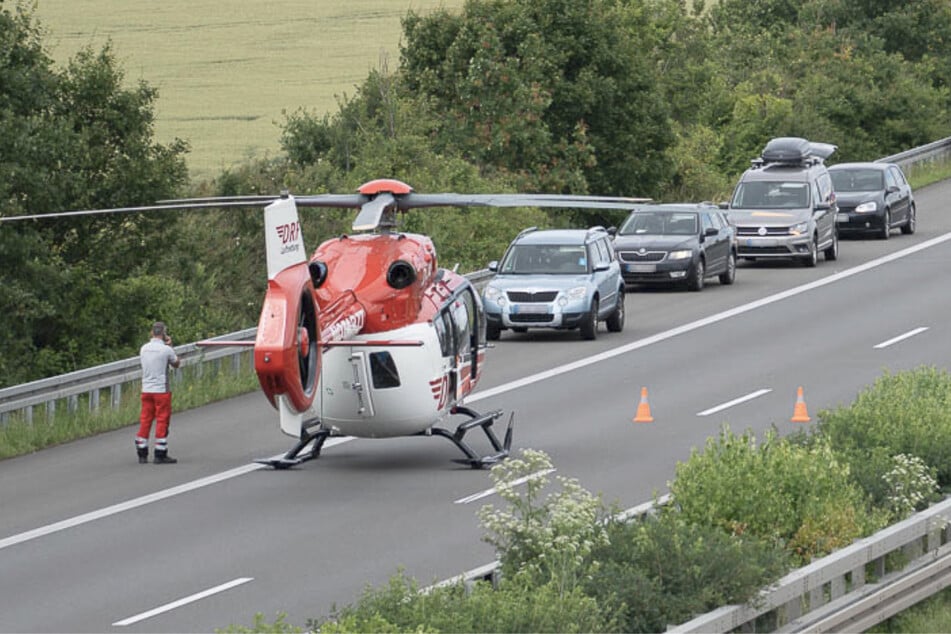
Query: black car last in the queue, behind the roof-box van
[{"x": 873, "y": 198}]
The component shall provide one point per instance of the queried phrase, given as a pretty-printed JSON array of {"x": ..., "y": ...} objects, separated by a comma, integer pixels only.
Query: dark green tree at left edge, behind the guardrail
[{"x": 73, "y": 138}]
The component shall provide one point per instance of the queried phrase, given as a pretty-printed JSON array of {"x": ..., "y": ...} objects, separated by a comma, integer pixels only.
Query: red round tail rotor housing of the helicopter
[{"x": 286, "y": 351}]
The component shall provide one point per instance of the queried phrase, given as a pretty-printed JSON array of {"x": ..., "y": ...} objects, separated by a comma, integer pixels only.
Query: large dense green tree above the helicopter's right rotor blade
[{"x": 554, "y": 91}]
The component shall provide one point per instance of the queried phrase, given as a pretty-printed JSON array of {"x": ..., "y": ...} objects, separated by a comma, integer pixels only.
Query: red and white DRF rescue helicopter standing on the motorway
[{"x": 369, "y": 337}]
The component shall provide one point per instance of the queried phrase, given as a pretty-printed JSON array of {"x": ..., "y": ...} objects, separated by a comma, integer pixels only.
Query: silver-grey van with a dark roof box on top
[{"x": 784, "y": 205}]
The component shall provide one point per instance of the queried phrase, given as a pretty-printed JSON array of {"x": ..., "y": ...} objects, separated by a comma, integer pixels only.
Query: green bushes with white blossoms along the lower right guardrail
[{"x": 742, "y": 513}]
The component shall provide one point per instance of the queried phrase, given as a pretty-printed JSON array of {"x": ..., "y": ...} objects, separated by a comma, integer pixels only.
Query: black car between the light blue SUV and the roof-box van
[{"x": 676, "y": 243}]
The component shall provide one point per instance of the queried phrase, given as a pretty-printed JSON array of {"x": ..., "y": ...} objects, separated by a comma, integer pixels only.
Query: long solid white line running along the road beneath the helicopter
[{"x": 501, "y": 389}]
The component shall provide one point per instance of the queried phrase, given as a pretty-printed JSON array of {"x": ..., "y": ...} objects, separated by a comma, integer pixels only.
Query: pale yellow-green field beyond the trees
[{"x": 228, "y": 70}]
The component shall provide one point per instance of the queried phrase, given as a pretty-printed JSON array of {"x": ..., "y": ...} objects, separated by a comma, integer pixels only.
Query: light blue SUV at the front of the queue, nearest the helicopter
[{"x": 556, "y": 278}]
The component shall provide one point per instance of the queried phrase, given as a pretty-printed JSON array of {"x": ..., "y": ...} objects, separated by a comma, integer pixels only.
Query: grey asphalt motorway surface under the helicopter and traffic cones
[{"x": 91, "y": 541}]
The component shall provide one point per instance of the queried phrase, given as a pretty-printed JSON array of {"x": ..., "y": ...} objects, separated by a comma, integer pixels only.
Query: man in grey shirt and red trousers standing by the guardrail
[{"x": 157, "y": 356}]
